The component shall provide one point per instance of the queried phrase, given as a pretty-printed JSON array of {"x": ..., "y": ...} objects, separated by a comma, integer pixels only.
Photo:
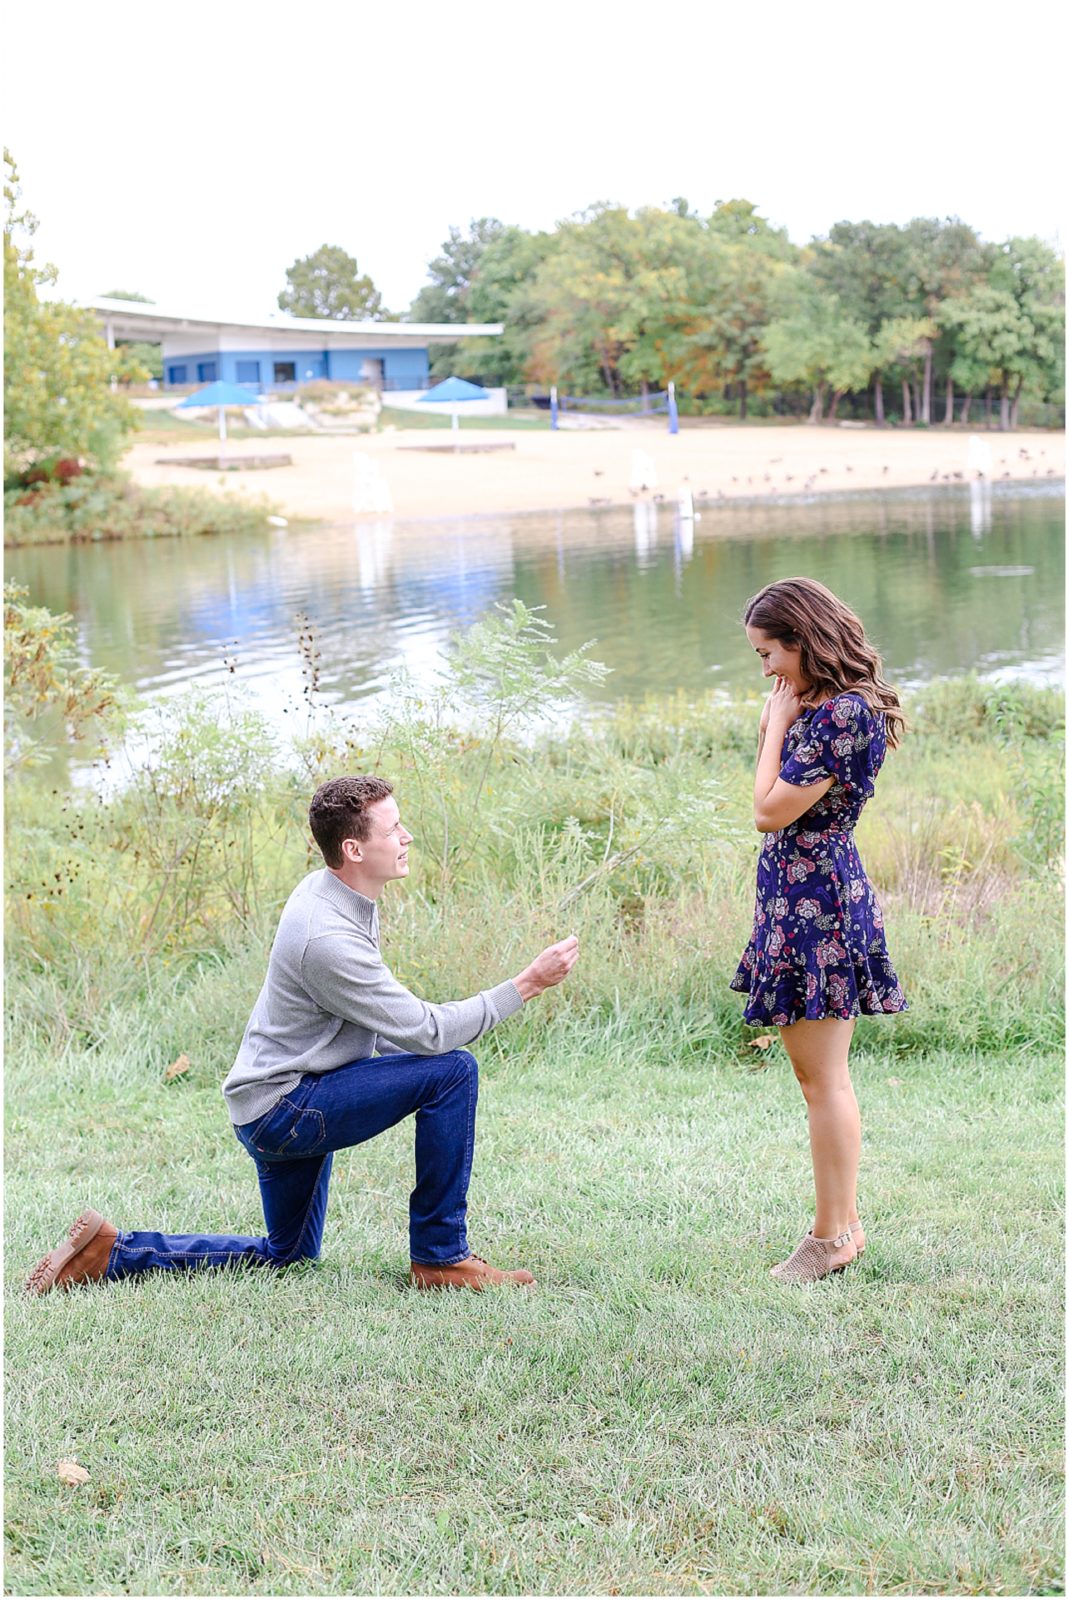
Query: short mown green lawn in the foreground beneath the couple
[{"x": 655, "y": 1418}]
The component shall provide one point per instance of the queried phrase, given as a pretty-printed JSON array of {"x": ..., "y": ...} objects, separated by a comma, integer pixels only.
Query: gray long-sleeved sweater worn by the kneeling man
[{"x": 329, "y": 999}]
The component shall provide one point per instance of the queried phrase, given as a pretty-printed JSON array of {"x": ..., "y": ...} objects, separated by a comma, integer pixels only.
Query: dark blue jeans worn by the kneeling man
[{"x": 294, "y": 1151}]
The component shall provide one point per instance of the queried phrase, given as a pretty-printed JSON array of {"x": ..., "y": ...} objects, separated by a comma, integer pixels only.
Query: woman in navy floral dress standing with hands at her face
[{"x": 817, "y": 958}]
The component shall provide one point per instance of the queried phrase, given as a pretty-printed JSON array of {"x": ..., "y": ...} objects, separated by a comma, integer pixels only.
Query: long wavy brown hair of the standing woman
[{"x": 835, "y": 654}]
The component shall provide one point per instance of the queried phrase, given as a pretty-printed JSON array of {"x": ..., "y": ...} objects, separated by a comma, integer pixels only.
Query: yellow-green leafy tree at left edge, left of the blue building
[{"x": 58, "y": 401}]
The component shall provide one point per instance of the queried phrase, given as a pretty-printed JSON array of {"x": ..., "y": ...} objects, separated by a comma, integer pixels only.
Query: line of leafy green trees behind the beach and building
[{"x": 913, "y": 324}]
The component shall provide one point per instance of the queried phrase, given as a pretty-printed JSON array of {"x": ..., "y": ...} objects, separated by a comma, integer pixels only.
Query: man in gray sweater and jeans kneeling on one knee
[{"x": 335, "y": 1052}]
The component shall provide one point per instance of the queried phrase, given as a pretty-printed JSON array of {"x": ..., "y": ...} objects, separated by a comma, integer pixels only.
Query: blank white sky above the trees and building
[{"x": 193, "y": 151}]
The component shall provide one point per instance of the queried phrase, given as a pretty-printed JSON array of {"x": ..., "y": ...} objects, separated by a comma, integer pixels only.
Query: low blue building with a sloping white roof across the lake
[{"x": 284, "y": 353}]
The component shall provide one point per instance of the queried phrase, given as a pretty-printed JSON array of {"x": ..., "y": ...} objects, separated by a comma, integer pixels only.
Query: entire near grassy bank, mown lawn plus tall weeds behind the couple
[{"x": 655, "y": 1418}]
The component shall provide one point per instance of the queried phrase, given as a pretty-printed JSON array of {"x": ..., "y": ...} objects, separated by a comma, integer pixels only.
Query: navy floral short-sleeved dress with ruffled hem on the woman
[{"x": 819, "y": 930}]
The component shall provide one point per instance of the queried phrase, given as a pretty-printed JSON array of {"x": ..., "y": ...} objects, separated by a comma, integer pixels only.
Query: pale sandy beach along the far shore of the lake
[{"x": 548, "y": 471}]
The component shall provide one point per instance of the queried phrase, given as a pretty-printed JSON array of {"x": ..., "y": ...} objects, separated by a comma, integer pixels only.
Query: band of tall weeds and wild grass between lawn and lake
[{"x": 630, "y": 830}]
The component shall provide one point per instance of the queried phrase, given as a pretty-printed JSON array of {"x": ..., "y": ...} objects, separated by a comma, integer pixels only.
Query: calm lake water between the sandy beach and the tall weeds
[{"x": 947, "y": 582}]
